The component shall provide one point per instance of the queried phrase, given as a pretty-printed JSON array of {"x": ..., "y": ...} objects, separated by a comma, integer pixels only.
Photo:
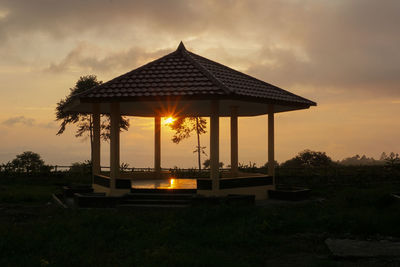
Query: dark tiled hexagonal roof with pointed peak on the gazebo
[{"x": 183, "y": 73}]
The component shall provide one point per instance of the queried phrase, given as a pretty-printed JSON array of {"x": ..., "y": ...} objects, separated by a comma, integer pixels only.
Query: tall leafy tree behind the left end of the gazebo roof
[{"x": 85, "y": 120}]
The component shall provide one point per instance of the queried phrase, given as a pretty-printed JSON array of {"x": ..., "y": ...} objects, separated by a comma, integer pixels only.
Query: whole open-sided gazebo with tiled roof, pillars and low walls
[{"x": 187, "y": 85}]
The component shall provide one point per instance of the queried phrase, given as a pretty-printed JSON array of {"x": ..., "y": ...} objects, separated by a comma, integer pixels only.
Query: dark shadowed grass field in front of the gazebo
[{"x": 34, "y": 232}]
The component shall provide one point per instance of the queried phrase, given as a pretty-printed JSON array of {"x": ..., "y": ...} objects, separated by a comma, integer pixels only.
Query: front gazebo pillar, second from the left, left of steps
[{"x": 114, "y": 143}]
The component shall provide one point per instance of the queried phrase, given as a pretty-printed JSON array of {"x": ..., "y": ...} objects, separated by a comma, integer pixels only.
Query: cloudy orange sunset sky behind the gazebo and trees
[{"x": 344, "y": 55}]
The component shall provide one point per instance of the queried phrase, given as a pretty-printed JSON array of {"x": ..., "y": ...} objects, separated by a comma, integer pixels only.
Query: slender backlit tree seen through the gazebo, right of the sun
[{"x": 184, "y": 127}]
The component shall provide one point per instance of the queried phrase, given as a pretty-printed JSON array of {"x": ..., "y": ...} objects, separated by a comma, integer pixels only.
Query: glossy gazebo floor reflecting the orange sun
[{"x": 165, "y": 184}]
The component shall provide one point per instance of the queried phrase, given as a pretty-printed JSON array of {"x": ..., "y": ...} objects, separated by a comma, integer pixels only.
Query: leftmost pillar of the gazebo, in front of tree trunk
[{"x": 96, "y": 139}]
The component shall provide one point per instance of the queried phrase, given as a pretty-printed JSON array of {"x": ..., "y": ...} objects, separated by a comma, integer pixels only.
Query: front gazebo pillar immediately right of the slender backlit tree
[{"x": 214, "y": 145}]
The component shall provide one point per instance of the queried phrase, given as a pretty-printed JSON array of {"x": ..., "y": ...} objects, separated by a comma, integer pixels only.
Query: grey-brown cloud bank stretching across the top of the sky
[{"x": 346, "y": 44}]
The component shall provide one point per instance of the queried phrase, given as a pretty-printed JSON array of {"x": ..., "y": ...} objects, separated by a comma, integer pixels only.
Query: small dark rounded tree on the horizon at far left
[{"x": 28, "y": 162}]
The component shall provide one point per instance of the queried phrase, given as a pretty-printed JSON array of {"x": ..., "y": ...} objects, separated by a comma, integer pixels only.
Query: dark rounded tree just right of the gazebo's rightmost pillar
[{"x": 308, "y": 158}]
